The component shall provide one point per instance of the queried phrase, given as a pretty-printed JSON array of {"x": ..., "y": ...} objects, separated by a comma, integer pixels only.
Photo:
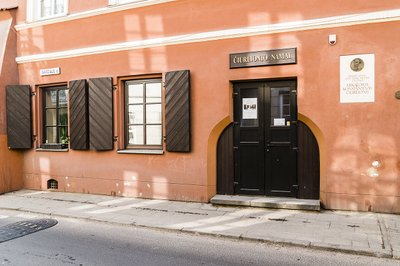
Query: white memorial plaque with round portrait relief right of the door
[{"x": 357, "y": 78}]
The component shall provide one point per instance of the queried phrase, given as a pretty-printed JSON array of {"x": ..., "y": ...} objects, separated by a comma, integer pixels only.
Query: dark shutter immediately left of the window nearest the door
[{"x": 101, "y": 114}]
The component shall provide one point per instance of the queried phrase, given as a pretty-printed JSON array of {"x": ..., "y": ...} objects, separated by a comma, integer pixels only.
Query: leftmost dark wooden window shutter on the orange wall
[{"x": 19, "y": 117}]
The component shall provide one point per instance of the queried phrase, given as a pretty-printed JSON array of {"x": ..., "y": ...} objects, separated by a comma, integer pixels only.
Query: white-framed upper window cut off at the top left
[{"x": 43, "y": 9}]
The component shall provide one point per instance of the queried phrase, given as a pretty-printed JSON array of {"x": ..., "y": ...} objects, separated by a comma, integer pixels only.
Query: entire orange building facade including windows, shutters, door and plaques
[{"x": 187, "y": 100}]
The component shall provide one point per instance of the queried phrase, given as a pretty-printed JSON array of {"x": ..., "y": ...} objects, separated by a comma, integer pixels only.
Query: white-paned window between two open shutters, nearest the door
[{"x": 143, "y": 114}]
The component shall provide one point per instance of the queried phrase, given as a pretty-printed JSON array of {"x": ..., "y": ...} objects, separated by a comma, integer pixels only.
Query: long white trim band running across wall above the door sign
[{"x": 329, "y": 22}]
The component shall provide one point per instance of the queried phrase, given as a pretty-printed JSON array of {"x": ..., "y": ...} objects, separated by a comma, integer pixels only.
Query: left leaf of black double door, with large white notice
[{"x": 249, "y": 144}]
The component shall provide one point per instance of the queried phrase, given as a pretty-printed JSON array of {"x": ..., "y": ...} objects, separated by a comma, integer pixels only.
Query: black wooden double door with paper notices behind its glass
[{"x": 265, "y": 138}]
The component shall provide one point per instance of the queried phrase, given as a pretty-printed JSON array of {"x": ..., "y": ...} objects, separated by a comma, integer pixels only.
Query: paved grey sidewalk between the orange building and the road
[{"x": 362, "y": 233}]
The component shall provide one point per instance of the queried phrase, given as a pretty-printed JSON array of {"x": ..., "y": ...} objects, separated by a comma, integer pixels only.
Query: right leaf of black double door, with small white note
[{"x": 280, "y": 138}]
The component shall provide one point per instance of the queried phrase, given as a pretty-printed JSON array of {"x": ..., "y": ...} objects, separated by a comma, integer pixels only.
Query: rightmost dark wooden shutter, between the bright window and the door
[{"x": 177, "y": 111}]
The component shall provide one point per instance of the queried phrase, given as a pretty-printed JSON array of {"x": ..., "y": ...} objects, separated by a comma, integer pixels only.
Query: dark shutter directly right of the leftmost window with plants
[{"x": 79, "y": 115}]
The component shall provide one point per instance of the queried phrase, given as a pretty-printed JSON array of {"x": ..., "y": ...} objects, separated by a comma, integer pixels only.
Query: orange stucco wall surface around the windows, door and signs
[{"x": 351, "y": 136}]
